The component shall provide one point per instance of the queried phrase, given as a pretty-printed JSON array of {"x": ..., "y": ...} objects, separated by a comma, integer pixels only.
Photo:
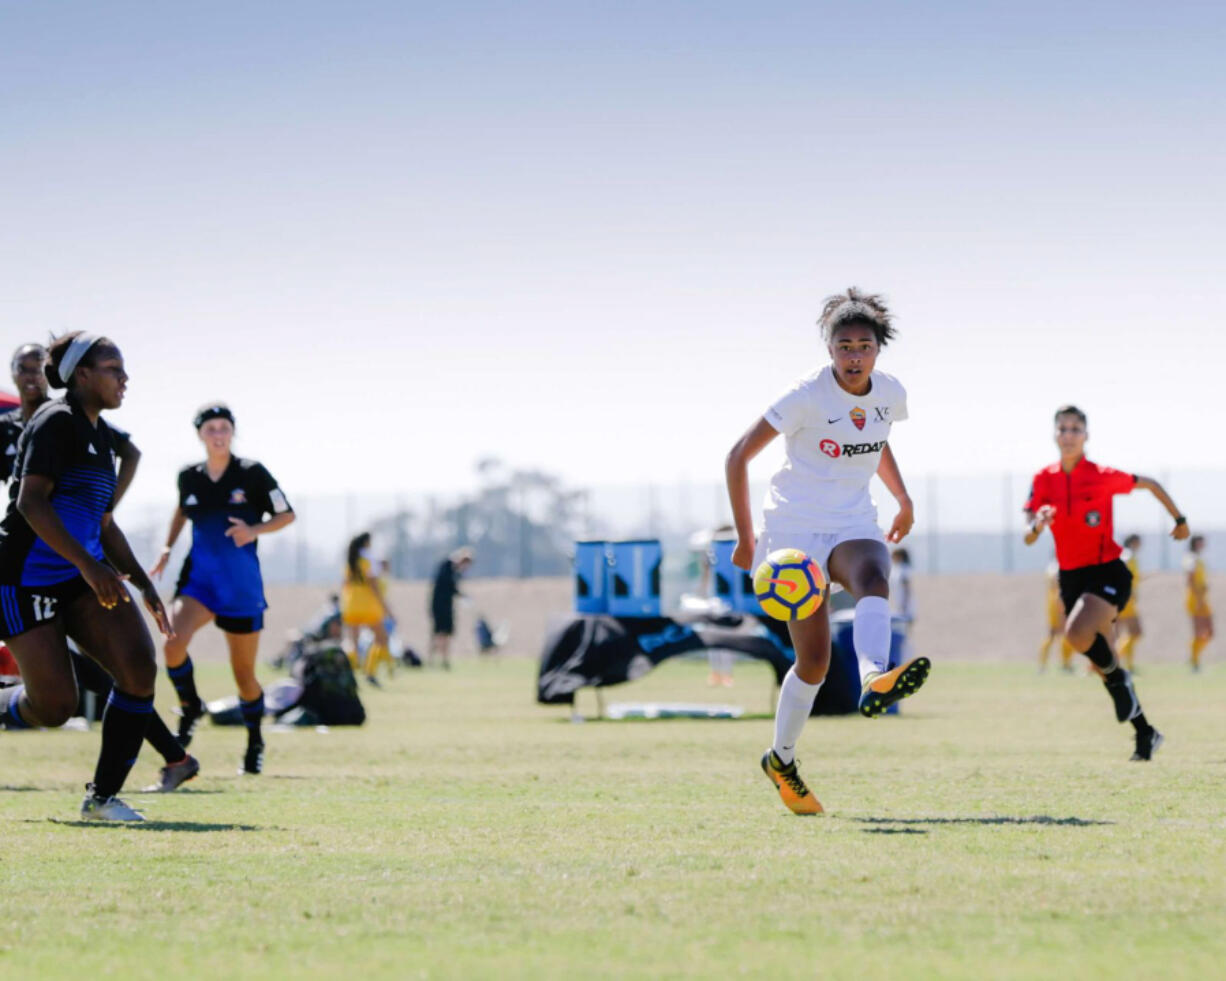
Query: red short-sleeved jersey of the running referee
[{"x": 1084, "y": 511}]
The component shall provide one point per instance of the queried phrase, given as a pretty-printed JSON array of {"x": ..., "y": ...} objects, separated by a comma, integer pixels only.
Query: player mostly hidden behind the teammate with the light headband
[{"x": 30, "y": 380}]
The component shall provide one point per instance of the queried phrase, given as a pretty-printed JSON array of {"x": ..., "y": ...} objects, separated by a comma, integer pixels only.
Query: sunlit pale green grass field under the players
[{"x": 995, "y": 831}]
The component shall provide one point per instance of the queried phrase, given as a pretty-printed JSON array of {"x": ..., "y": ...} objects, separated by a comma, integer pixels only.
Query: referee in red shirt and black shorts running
[{"x": 1075, "y": 500}]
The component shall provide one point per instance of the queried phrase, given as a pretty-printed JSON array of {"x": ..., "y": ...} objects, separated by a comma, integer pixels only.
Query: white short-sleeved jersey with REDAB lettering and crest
[{"x": 834, "y": 446}]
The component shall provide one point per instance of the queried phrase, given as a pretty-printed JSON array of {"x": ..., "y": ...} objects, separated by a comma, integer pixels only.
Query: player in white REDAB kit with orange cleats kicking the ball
[{"x": 837, "y": 424}]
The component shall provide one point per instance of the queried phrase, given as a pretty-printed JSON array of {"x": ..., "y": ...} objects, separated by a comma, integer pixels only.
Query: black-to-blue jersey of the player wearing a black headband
[{"x": 246, "y": 491}]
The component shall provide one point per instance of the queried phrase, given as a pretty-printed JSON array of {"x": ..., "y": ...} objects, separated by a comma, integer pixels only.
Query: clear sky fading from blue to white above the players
[{"x": 594, "y": 239}]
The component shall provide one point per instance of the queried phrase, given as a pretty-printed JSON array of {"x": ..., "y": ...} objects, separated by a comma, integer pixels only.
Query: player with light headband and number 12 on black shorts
[{"x": 63, "y": 565}]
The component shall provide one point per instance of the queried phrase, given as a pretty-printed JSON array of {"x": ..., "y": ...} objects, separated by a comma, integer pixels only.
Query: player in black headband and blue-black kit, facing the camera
[{"x": 230, "y": 502}]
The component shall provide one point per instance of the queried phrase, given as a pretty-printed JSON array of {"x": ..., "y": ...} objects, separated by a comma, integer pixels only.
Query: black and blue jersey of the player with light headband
[{"x": 62, "y": 445}]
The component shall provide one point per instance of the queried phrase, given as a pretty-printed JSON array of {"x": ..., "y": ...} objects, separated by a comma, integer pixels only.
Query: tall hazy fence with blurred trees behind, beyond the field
[{"x": 525, "y": 527}]
